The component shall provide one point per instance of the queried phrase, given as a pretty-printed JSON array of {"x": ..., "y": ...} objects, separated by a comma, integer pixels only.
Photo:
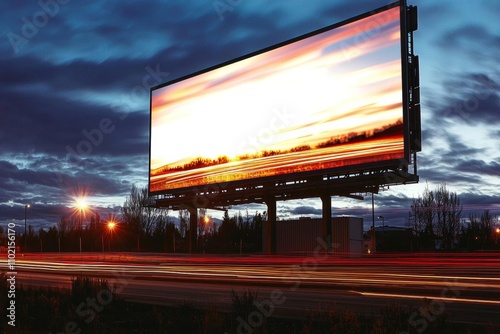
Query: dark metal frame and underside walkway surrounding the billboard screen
[{"x": 338, "y": 181}]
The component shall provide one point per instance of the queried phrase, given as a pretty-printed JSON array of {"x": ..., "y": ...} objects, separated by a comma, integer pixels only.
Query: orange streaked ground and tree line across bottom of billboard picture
[{"x": 384, "y": 143}]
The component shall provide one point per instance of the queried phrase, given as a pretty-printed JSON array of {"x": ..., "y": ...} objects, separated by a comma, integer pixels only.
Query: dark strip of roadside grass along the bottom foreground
[{"x": 84, "y": 309}]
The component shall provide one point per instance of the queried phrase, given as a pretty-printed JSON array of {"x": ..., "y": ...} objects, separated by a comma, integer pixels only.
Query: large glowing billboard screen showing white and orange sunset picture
[{"x": 330, "y": 99}]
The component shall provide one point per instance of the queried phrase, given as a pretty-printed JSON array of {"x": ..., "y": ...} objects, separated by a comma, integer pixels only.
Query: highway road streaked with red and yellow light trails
[{"x": 465, "y": 287}]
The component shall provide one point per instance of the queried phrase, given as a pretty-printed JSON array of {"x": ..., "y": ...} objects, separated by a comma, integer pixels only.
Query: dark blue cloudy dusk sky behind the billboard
[{"x": 75, "y": 79}]
